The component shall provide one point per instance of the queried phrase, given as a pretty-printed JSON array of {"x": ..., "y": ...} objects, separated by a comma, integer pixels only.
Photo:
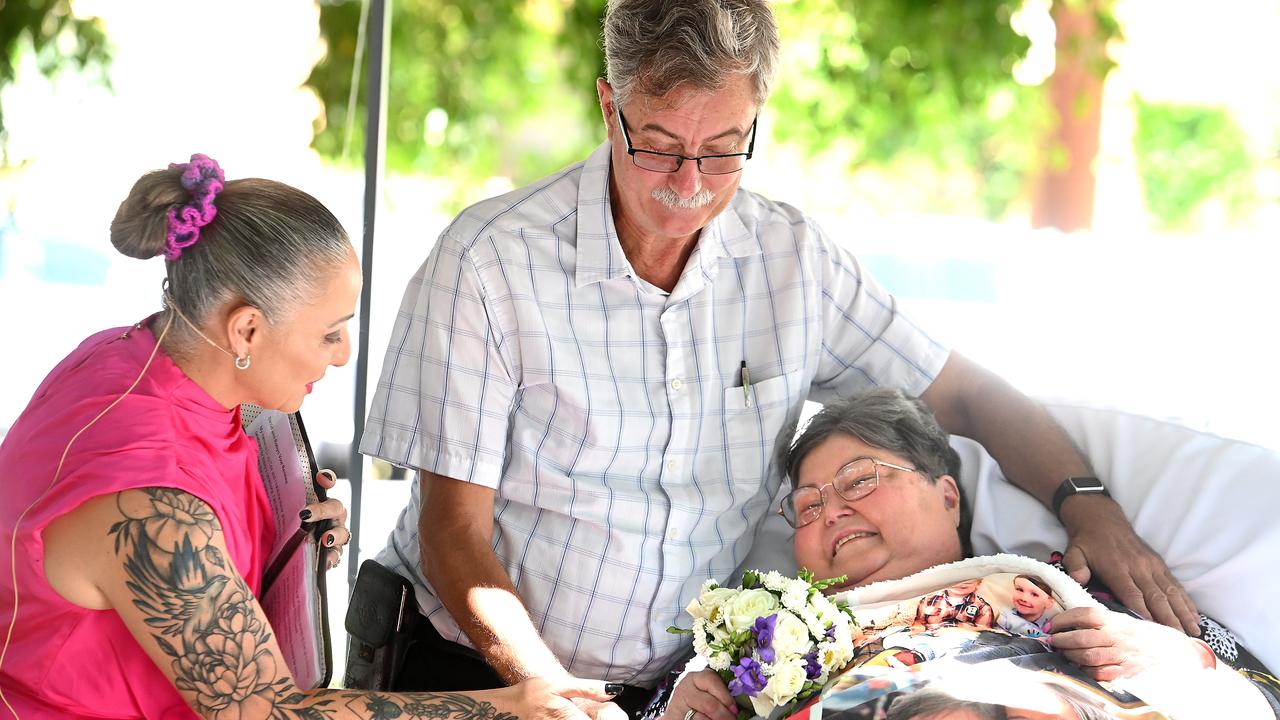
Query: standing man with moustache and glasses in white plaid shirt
[{"x": 591, "y": 375}]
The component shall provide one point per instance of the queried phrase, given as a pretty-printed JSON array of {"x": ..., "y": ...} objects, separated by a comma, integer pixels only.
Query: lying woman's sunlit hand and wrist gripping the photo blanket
[{"x": 1109, "y": 645}]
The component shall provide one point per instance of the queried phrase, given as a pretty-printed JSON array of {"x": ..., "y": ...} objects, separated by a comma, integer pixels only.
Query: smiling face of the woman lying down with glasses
[{"x": 903, "y": 527}]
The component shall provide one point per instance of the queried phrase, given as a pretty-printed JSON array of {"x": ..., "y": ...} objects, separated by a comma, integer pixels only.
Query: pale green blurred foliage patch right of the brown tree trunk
[{"x": 1187, "y": 156}]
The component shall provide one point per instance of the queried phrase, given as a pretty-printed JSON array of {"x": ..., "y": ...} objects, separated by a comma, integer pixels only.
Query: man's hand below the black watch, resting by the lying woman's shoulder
[{"x": 1103, "y": 541}]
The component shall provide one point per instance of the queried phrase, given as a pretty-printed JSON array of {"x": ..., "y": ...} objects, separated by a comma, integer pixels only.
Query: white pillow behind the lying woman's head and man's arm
[{"x": 1208, "y": 505}]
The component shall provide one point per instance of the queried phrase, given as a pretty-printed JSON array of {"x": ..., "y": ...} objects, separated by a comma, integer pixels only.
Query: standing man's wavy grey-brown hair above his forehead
[{"x": 653, "y": 47}]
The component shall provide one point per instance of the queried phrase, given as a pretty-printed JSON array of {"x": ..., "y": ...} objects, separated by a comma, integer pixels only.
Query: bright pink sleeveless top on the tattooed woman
[{"x": 63, "y": 660}]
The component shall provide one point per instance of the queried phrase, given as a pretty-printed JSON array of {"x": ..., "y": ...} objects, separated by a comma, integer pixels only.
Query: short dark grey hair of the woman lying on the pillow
[{"x": 886, "y": 420}]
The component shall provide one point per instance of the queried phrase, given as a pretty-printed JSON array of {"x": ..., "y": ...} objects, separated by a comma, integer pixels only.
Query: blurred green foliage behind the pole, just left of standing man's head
[{"x": 476, "y": 89}]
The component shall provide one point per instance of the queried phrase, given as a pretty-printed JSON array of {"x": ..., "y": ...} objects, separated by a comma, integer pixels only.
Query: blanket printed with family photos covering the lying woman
[{"x": 979, "y": 646}]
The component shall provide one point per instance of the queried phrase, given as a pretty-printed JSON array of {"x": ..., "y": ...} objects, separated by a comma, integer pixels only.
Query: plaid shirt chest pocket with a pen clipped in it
[{"x": 753, "y": 420}]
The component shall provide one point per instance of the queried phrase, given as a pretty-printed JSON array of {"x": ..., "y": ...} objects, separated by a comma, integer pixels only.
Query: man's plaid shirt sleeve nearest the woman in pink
[{"x": 446, "y": 391}]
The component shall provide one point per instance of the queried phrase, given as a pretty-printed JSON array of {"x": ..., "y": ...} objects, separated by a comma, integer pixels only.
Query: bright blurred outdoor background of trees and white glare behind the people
[{"x": 941, "y": 142}]
